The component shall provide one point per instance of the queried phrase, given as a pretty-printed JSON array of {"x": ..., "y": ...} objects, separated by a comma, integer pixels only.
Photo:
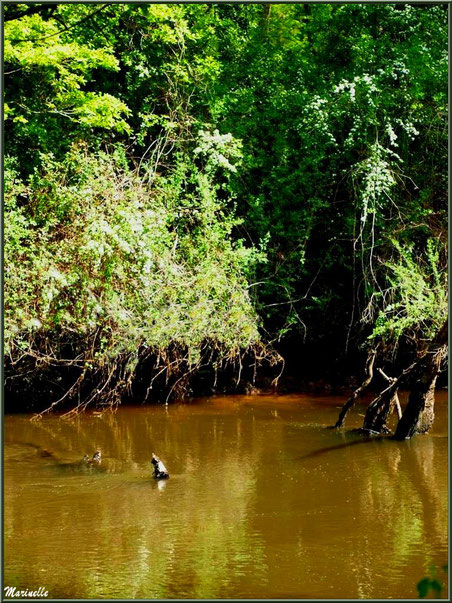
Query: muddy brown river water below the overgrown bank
[{"x": 262, "y": 502}]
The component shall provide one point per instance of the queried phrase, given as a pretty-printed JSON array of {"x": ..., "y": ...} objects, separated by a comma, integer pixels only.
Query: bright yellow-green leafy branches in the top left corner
[{"x": 51, "y": 74}]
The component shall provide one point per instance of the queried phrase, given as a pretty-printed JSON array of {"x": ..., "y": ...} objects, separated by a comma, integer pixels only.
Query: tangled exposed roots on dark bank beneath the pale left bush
[{"x": 149, "y": 375}]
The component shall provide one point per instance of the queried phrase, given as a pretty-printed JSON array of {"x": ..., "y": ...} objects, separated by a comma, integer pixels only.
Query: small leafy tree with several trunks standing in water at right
[{"x": 414, "y": 310}]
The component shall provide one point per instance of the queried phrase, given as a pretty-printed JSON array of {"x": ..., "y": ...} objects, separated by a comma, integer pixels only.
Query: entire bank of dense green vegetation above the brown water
[{"x": 192, "y": 187}]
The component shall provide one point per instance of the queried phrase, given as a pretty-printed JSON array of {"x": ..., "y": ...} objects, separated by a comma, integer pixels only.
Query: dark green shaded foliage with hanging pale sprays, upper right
[{"x": 330, "y": 106}]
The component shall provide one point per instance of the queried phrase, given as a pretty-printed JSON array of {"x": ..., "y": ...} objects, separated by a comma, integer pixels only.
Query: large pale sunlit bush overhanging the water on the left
[{"x": 101, "y": 250}]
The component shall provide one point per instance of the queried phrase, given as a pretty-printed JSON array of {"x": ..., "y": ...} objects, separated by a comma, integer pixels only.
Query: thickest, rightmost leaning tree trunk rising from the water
[{"x": 419, "y": 412}]
